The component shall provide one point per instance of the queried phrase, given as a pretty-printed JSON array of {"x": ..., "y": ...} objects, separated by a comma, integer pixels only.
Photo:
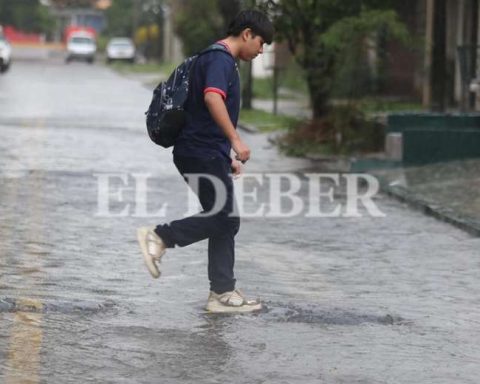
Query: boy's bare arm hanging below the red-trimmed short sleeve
[{"x": 218, "y": 110}]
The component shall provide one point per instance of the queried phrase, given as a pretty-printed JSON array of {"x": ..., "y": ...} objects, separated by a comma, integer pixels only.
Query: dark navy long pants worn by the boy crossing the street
[{"x": 220, "y": 229}]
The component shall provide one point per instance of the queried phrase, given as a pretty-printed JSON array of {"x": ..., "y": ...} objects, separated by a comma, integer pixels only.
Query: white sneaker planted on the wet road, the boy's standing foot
[{"x": 231, "y": 302}]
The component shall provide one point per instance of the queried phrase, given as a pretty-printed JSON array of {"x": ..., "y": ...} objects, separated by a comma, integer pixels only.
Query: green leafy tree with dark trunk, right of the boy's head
[{"x": 320, "y": 32}]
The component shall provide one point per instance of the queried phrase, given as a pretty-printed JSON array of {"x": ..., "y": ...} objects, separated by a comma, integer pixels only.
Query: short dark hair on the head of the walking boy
[{"x": 257, "y": 21}]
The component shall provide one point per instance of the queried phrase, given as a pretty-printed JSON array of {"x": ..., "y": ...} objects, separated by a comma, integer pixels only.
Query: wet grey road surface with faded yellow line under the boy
[{"x": 348, "y": 300}]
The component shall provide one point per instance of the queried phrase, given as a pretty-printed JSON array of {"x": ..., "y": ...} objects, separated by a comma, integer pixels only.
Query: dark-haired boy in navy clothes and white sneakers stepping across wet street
[{"x": 204, "y": 147}]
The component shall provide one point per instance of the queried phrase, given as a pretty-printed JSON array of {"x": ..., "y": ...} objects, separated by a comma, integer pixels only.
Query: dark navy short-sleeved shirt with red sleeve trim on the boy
[{"x": 201, "y": 137}]
